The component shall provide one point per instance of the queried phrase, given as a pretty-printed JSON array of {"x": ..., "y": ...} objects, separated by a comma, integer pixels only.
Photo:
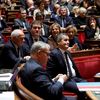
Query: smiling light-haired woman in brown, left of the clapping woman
[{"x": 54, "y": 30}]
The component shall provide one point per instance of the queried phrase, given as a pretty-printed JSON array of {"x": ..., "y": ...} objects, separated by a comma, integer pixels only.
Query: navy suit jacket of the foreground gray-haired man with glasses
[{"x": 36, "y": 79}]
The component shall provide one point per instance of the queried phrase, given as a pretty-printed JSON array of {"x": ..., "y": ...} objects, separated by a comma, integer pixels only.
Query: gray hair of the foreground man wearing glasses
[{"x": 39, "y": 45}]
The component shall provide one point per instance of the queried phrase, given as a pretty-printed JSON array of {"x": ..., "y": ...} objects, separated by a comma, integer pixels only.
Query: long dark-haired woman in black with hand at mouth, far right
[{"x": 92, "y": 30}]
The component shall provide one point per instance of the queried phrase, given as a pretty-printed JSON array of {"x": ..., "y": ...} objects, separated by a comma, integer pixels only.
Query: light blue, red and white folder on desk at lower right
[{"x": 85, "y": 86}]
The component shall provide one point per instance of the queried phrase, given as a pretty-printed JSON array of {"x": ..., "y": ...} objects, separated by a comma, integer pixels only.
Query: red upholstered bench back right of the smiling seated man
[{"x": 88, "y": 66}]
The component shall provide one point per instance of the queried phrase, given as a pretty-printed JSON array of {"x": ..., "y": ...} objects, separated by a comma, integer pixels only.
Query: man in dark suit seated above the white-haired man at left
[{"x": 22, "y": 22}]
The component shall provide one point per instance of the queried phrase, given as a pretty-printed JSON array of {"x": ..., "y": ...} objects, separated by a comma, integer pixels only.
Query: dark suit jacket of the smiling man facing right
[{"x": 56, "y": 63}]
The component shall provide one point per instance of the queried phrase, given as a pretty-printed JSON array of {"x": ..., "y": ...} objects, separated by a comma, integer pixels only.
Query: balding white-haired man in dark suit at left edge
[{"x": 13, "y": 51}]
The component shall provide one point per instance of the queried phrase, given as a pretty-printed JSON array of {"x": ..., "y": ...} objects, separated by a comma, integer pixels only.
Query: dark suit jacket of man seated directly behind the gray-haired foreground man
[{"x": 29, "y": 41}]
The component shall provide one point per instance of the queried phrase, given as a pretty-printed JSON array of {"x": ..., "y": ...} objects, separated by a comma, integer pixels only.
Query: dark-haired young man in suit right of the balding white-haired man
[{"x": 34, "y": 35}]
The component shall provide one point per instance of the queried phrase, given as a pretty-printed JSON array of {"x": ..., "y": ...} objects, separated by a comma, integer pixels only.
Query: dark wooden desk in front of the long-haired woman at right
[{"x": 92, "y": 43}]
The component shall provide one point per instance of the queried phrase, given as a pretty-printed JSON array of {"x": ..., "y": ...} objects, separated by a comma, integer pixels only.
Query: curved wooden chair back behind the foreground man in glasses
[{"x": 22, "y": 91}]
